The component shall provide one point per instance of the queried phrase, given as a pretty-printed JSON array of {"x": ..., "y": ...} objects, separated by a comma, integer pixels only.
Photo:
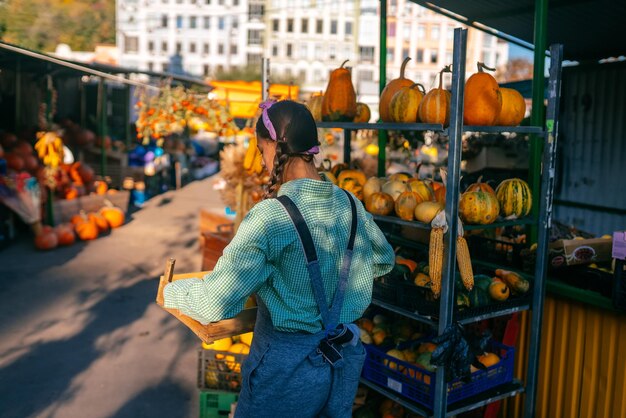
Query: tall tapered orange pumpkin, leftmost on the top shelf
[{"x": 339, "y": 103}]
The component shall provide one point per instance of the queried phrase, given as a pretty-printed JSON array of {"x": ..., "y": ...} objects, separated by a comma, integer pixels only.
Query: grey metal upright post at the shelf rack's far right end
[{"x": 545, "y": 219}]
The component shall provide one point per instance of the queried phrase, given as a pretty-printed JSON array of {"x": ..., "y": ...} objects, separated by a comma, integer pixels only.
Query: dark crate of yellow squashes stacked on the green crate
[{"x": 219, "y": 370}]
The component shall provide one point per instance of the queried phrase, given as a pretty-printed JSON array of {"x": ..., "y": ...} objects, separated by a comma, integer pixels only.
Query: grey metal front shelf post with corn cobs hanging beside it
[{"x": 455, "y": 130}]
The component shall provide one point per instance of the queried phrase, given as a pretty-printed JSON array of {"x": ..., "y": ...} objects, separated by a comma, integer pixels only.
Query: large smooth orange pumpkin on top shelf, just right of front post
[{"x": 482, "y": 100}]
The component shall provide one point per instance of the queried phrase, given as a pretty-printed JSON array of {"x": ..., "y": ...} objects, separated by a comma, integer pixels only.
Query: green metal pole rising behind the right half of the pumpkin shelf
[{"x": 537, "y": 112}]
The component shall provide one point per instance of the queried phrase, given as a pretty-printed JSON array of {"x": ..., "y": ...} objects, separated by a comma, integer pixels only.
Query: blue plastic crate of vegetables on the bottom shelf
[{"x": 418, "y": 384}]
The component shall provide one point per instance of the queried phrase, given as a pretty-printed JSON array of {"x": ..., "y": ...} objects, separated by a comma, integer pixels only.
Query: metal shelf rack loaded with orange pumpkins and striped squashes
[{"x": 474, "y": 105}]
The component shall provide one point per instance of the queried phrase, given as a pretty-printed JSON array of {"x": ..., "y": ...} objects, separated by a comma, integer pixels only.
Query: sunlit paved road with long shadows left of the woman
[{"x": 80, "y": 335}]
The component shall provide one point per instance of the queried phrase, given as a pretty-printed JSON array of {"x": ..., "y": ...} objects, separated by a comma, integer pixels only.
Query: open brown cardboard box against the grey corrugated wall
[{"x": 573, "y": 252}]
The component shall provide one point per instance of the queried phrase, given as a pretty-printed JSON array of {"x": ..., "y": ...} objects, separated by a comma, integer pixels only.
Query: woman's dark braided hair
[{"x": 296, "y": 133}]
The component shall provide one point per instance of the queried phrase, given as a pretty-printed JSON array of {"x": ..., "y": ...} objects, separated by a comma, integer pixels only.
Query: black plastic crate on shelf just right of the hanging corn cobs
[{"x": 496, "y": 251}]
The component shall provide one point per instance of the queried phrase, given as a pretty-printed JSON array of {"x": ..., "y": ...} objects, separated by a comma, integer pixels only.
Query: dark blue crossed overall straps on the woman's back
[{"x": 335, "y": 336}]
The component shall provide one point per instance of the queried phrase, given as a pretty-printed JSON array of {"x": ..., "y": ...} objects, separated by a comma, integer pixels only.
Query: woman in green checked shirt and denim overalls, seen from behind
[{"x": 311, "y": 264}]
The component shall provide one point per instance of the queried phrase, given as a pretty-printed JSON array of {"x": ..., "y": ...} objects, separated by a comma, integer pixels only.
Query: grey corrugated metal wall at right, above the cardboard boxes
[{"x": 592, "y": 147}]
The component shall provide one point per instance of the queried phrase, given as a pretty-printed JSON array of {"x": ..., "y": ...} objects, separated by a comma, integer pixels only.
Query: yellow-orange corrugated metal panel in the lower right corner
[{"x": 582, "y": 368}]
